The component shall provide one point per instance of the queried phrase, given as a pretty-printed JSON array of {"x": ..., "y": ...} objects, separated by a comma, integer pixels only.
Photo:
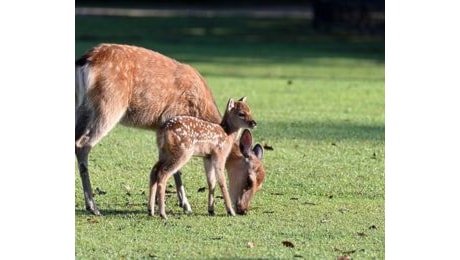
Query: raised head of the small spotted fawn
[{"x": 238, "y": 115}]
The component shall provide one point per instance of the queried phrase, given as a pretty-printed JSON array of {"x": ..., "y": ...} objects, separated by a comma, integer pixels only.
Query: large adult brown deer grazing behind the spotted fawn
[{"x": 141, "y": 88}]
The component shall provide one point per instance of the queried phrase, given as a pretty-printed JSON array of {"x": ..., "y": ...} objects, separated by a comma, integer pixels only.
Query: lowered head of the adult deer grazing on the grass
[{"x": 245, "y": 172}]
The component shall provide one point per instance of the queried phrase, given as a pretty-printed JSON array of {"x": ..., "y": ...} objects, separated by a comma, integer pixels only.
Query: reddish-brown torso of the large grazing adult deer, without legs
[{"x": 150, "y": 86}]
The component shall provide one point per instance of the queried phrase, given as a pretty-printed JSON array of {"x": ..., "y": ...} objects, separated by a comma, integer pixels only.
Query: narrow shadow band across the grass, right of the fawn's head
[{"x": 332, "y": 131}]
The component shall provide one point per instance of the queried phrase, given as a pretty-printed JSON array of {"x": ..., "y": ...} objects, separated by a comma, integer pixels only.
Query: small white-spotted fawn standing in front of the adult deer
[{"x": 182, "y": 137}]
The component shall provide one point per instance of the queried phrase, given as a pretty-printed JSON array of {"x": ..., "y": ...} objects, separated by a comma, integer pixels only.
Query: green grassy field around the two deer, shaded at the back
[{"x": 319, "y": 102}]
